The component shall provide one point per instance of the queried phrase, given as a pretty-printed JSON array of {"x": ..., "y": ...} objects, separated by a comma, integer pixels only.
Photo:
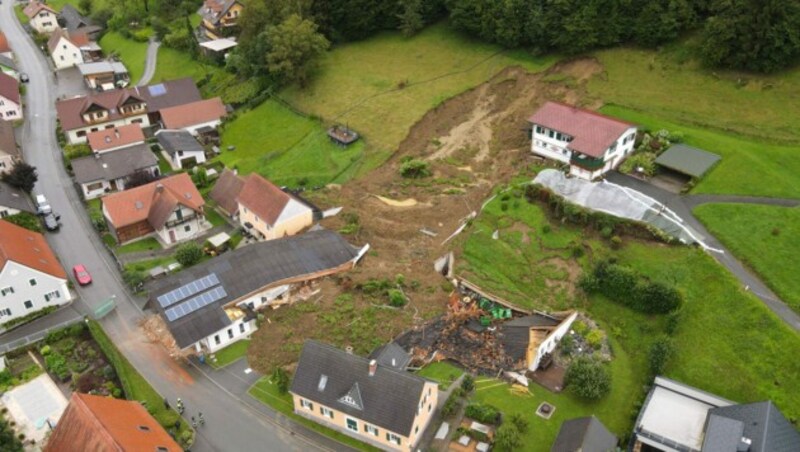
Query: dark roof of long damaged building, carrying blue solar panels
[{"x": 247, "y": 270}]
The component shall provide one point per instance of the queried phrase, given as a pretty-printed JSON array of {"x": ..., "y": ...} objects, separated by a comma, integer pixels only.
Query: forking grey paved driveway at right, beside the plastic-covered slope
[{"x": 682, "y": 206}]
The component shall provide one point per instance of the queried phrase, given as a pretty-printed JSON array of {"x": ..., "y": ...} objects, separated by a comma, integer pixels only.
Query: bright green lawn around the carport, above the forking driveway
[{"x": 749, "y": 166}]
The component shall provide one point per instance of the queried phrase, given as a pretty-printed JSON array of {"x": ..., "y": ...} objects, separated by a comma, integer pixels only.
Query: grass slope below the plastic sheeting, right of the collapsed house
[{"x": 723, "y": 330}]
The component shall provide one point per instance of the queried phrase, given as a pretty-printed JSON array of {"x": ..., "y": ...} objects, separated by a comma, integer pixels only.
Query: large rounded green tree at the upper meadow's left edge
[{"x": 295, "y": 46}]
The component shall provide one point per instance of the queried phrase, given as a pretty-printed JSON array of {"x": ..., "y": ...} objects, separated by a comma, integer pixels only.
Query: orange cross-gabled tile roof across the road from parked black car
[{"x": 152, "y": 202}]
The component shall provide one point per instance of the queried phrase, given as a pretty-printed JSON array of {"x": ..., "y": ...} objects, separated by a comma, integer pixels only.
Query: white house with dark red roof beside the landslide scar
[{"x": 591, "y": 143}]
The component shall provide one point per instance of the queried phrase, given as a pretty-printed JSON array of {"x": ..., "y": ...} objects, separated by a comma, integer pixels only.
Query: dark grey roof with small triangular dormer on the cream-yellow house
[{"x": 389, "y": 399}]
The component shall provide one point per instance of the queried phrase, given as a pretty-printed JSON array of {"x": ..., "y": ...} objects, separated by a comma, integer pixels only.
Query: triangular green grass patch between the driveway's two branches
[{"x": 767, "y": 238}]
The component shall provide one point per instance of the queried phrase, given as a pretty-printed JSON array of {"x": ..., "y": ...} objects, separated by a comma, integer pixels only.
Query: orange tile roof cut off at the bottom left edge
[{"x": 104, "y": 424}]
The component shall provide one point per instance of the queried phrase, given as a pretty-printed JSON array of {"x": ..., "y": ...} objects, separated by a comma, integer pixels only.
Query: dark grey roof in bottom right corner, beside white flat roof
[{"x": 764, "y": 425}]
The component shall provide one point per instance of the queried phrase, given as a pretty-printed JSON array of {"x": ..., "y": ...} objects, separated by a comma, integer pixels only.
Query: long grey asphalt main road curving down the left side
[{"x": 231, "y": 424}]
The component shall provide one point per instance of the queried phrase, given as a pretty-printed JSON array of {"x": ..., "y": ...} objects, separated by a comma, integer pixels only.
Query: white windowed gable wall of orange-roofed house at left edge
[{"x": 19, "y": 278}]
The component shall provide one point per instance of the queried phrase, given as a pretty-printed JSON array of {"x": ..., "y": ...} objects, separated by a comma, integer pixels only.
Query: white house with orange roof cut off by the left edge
[{"x": 31, "y": 278}]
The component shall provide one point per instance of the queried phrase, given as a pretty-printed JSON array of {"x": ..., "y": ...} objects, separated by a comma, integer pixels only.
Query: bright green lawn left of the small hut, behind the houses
[{"x": 286, "y": 148}]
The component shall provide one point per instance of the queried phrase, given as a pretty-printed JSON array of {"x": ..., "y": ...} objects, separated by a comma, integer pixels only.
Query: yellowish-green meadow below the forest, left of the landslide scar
[{"x": 356, "y": 83}]
